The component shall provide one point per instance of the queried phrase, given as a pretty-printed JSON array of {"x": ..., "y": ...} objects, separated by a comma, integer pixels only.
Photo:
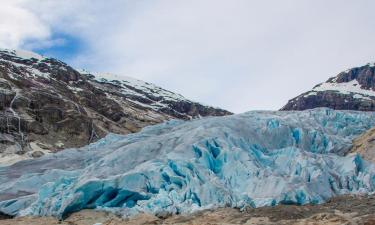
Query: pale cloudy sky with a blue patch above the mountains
[{"x": 239, "y": 55}]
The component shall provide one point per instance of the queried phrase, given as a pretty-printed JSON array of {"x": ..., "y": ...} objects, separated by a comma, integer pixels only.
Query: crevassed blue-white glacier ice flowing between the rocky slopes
[{"x": 254, "y": 159}]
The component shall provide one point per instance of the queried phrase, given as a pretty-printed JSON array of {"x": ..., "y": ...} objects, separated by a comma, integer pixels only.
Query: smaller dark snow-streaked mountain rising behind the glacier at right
[{"x": 353, "y": 89}]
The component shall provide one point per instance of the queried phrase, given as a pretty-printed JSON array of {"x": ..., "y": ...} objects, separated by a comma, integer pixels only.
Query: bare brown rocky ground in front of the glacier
[{"x": 338, "y": 211}]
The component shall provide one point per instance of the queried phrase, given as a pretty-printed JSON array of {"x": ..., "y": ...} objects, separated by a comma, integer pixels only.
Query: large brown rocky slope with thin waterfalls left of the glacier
[{"x": 46, "y": 105}]
